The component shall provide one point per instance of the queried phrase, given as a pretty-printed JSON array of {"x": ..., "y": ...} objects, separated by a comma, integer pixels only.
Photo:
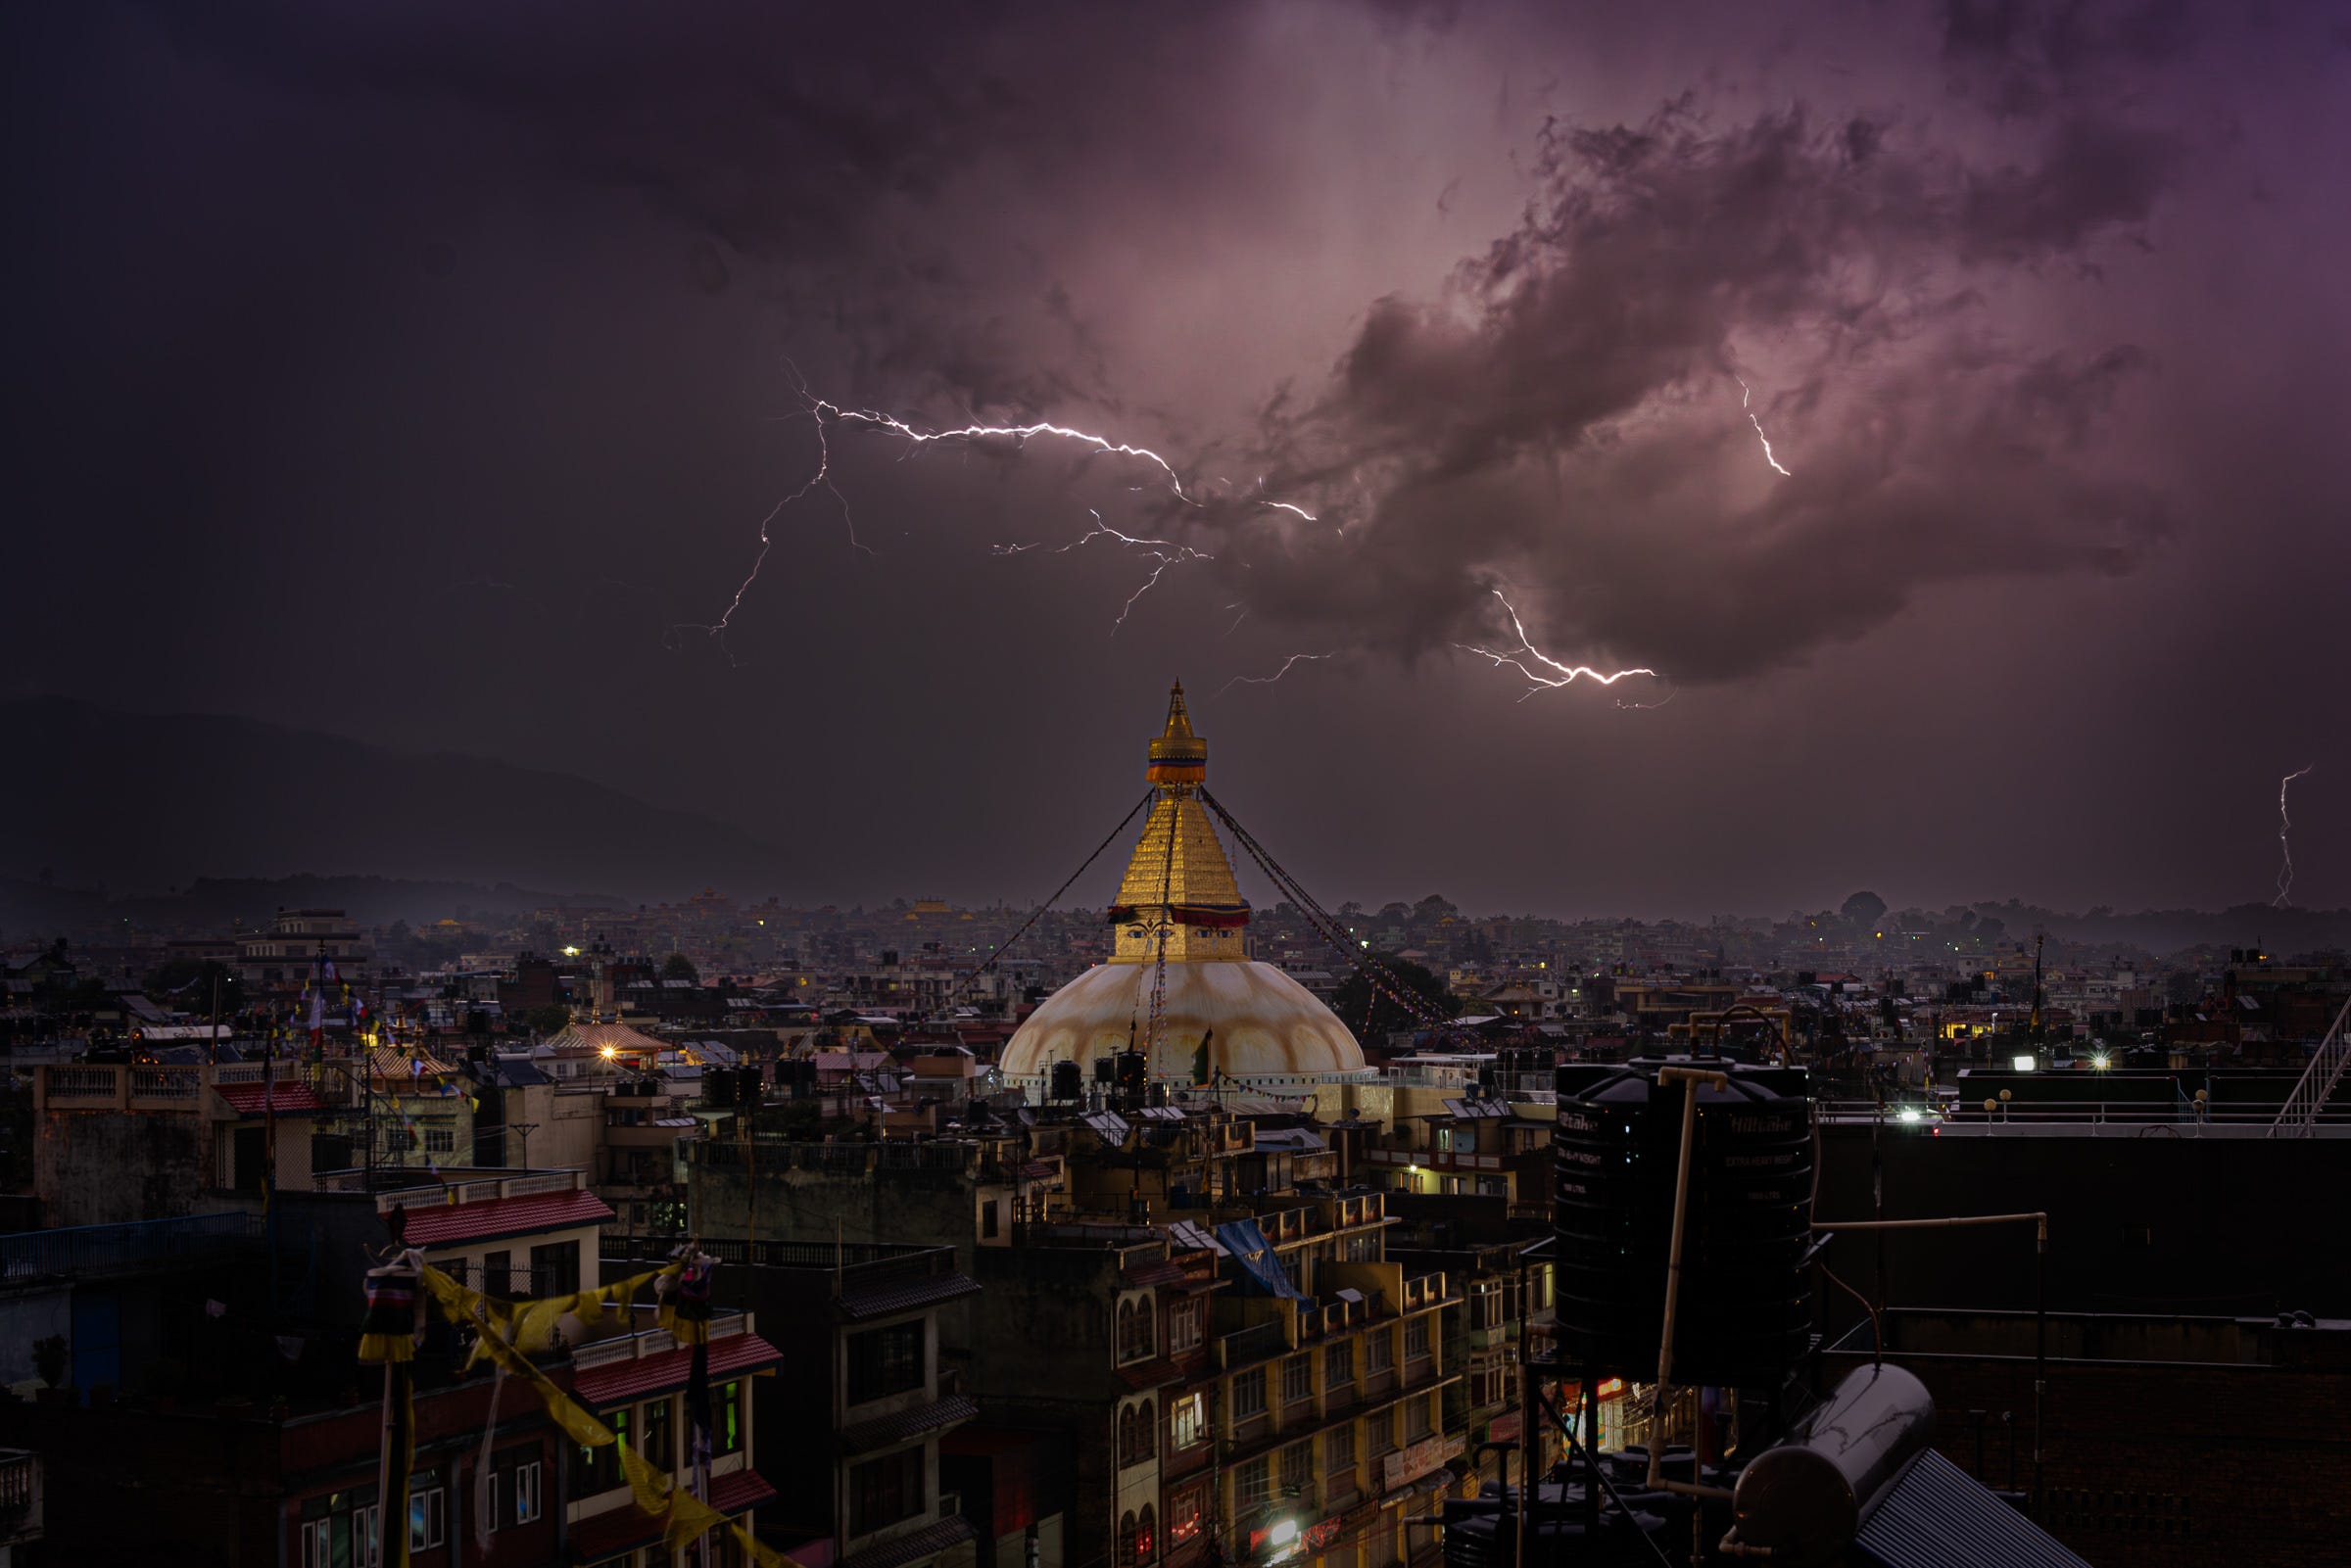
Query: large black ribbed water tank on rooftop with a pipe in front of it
[{"x": 1746, "y": 1313}]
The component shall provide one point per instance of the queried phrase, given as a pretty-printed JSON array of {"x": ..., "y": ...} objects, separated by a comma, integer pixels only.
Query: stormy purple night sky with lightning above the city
[{"x": 424, "y": 373}]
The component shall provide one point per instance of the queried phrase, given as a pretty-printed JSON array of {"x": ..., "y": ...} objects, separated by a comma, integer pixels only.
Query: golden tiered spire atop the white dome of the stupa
[{"x": 1179, "y": 871}]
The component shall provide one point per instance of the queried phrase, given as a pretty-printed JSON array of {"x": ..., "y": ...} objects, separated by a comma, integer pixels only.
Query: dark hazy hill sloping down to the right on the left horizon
[{"x": 152, "y": 803}]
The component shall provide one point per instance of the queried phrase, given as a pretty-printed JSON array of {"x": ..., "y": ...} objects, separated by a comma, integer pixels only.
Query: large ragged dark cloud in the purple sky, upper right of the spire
[{"x": 1567, "y": 420}]
